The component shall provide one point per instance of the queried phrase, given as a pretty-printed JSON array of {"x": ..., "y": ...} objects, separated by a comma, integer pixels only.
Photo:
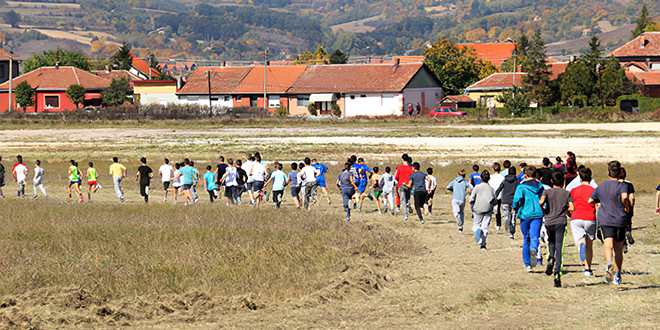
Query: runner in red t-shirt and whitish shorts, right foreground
[{"x": 583, "y": 220}]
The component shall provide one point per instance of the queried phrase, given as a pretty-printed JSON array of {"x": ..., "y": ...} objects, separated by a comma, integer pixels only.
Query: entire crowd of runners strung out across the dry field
[{"x": 542, "y": 199}]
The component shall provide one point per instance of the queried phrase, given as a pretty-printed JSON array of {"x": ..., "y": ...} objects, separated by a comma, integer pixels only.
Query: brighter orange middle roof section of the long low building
[{"x": 278, "y": 79}]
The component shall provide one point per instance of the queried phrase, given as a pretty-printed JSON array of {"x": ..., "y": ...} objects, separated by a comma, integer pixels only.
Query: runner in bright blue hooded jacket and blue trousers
[{"x": 526, "y": 204}]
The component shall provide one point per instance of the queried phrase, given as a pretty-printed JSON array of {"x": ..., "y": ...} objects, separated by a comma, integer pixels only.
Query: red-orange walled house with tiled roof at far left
[{"x": 50, "y": 85}]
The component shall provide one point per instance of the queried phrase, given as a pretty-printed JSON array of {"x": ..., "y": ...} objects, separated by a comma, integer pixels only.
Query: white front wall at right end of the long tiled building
[{"x": 373, "y": 105}]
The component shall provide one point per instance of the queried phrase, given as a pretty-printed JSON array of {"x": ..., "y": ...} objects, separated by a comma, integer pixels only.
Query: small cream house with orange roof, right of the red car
[{"x": 494, "y": 85}]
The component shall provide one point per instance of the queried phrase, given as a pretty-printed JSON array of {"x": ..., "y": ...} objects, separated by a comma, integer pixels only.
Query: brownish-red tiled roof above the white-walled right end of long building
[{"x": 355, "y": 78}]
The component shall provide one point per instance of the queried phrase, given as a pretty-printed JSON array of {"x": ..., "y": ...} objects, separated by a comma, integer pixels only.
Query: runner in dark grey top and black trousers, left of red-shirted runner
[{"x": 558, "y": 202}]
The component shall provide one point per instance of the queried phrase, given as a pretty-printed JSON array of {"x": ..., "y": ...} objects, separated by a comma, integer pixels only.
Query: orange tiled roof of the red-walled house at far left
[{"x": 51, "y": 78}]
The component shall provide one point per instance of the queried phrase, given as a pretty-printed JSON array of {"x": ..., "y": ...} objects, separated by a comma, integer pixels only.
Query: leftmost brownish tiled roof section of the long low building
[{"x": 223, "y": 81}]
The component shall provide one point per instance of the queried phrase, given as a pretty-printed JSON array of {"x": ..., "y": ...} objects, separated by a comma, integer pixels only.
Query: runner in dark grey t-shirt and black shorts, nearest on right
[{"x": 613, "y": 198}]
